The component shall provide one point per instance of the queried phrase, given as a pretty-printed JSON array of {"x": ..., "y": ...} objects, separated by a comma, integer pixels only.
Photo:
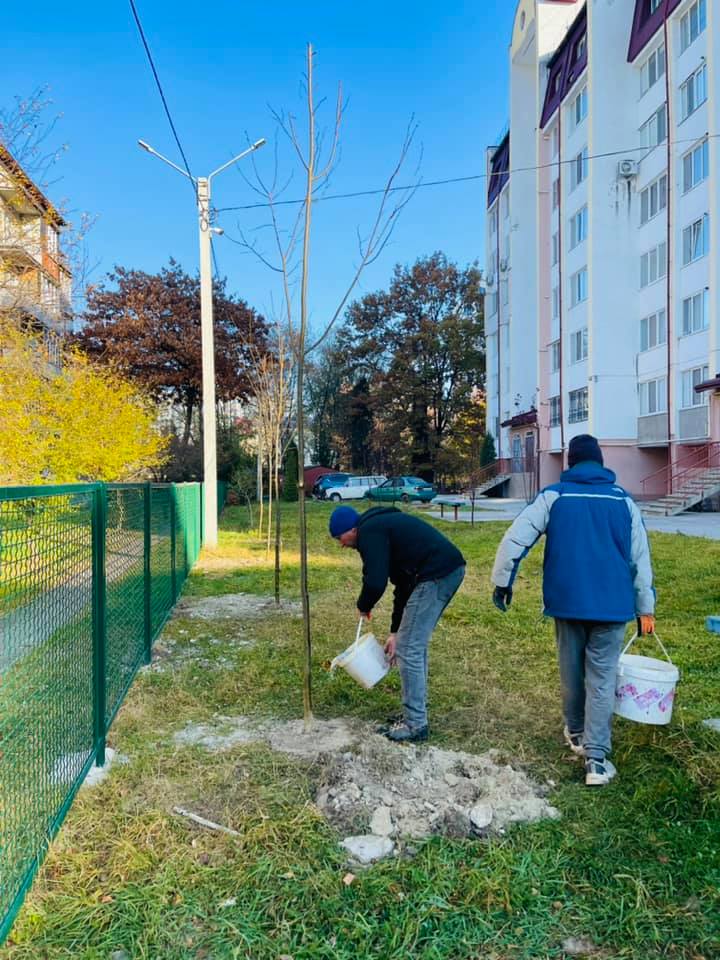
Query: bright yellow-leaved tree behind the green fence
[{"x": 69, "y": 423}]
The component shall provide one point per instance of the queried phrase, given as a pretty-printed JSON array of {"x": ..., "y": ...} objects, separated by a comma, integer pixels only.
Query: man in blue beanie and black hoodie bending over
[{"x": 426, "y": 570}]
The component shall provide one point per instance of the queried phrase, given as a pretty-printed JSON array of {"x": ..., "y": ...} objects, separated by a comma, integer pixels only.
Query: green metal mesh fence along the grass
[{"x": 88, "y": 575}]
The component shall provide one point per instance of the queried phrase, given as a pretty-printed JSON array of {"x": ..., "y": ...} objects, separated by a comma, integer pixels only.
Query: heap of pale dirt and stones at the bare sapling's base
[{"x": 367, "y": 785}]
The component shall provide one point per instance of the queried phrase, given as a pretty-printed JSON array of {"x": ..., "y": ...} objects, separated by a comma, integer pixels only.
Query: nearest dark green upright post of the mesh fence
[{"x": 99, "y": 522}]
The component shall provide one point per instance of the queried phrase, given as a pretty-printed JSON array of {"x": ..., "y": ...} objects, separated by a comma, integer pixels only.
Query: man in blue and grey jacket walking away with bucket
[{"x": 597, "y": 576}]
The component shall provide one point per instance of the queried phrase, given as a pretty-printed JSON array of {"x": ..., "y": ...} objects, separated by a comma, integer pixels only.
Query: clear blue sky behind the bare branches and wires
[{"x": 222, "y": 63}]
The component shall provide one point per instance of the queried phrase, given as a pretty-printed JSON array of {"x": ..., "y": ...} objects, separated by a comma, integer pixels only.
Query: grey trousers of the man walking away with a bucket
[{"x": 588, "y": 653}]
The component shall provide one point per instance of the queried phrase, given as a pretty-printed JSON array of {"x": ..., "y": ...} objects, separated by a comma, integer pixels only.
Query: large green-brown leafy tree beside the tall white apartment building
[{"x": 420, "y": 346}]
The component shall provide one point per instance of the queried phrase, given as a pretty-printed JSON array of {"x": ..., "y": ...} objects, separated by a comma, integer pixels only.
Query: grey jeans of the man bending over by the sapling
[{"x": 422, "y": 612}]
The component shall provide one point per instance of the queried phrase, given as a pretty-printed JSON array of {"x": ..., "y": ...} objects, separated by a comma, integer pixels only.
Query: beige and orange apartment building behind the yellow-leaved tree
[{"x": 35, "y": 283}]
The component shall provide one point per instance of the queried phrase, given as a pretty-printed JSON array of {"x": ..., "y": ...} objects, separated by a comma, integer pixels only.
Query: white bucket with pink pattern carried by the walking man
[{"x": 645, "y": 686}]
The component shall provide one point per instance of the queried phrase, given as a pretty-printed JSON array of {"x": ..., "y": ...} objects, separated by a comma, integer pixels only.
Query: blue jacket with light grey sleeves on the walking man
[{"x": 597, "y": 559}]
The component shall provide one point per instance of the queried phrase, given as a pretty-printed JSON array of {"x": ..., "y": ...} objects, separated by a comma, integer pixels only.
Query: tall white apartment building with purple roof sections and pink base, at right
[{"x": 601, "y": 316}]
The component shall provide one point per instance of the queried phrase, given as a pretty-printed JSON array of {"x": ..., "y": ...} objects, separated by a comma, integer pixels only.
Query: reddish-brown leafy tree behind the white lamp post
[{"x": 148, "y": 327}]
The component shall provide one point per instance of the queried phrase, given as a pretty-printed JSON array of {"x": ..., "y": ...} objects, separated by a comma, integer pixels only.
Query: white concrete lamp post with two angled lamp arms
[{"x": 202, "y": 187}]
